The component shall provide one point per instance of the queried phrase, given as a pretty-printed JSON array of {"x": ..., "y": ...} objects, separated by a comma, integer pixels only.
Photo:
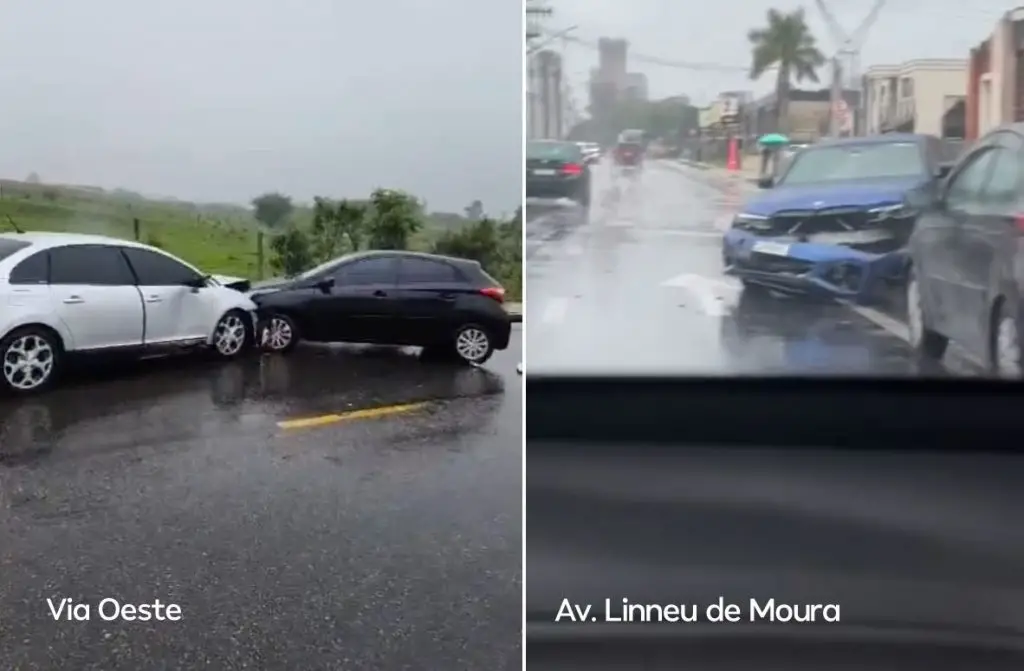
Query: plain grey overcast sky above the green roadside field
[{"x": 224, "y": 100}]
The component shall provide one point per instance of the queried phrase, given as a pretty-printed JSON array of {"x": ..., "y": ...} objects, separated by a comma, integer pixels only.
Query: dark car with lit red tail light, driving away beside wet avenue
[{"x": 558, "y": 170}]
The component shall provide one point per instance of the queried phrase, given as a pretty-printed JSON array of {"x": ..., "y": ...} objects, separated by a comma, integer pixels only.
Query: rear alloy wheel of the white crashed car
[{"x": 31, "y": 360}]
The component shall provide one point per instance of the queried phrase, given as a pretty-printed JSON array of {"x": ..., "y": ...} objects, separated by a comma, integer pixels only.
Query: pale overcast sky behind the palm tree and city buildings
[{"x": 716, "y": 32}]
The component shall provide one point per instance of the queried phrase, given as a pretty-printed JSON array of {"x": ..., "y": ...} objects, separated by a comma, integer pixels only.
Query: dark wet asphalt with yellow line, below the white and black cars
[{"x": 387, "y": 543}]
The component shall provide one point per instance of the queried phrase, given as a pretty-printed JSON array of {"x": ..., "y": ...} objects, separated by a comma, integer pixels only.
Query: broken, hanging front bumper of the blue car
[{"x": 851, "y": 266}]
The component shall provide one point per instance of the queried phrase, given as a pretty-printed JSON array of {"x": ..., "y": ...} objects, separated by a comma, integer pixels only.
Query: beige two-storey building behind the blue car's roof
[{"x": 926, "y": 96}]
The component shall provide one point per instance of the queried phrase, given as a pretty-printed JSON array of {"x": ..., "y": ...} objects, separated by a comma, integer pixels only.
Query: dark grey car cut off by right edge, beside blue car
[{"x": 967, "y": 254}]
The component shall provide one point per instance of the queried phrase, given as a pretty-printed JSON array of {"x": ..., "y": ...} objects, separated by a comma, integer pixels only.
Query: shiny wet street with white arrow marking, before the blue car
[{"x": 637, "y": 287}]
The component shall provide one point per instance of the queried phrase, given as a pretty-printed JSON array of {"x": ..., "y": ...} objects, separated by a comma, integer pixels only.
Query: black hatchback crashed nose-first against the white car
[{"x": 447, "y": 306}]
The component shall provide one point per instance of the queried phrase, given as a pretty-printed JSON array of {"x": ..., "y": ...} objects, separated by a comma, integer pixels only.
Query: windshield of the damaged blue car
[{"x": 867, "y": 161}]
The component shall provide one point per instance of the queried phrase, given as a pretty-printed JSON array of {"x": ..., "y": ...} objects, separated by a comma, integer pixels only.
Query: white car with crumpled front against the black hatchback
[{"x": 70, "y": 295}]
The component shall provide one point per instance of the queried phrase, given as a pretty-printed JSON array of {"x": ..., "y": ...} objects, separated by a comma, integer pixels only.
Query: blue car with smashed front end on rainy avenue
[{"x": 838, "y": 220}]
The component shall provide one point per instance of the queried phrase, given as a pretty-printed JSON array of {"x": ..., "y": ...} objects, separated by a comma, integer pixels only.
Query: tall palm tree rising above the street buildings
[{"x": 788, "y": 45}]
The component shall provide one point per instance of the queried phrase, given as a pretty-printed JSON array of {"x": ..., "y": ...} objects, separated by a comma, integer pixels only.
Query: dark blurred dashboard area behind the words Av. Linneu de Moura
[{"x": 897, "y": 502}]
